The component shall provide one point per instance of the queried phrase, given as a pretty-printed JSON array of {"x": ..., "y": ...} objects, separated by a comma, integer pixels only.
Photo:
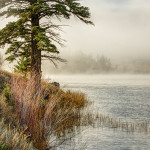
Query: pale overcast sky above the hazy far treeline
[{"x": 122, "y": 29}]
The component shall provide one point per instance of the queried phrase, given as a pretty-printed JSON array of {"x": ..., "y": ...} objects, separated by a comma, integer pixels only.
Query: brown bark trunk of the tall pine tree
[{"x": 35, "y": 52}]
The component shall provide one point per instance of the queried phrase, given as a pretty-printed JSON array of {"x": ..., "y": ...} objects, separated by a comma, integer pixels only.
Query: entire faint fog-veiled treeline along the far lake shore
[{"x": 82, "y": 63}]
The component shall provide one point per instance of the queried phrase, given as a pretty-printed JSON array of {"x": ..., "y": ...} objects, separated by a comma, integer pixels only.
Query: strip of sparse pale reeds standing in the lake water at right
[{"x": 100, "y": 120}]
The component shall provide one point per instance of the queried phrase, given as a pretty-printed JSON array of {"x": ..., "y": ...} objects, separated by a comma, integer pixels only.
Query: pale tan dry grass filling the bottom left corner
[{"x": 12, "y": 136}]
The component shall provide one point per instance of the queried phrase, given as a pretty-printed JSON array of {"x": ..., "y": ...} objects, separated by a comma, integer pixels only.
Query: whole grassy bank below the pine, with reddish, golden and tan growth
[{"x": 45, "y": 118}]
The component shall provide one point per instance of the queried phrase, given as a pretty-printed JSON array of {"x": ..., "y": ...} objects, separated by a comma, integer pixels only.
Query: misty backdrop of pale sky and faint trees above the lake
[{"x": 120, "y": 38}]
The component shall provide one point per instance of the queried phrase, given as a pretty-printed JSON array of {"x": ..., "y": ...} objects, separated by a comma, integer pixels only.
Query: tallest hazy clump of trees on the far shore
[{"x": 85, "y": 63}]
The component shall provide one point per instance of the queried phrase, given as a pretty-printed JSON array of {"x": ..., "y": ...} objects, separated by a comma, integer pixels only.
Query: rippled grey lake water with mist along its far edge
[{"x": 120, "y": 96}]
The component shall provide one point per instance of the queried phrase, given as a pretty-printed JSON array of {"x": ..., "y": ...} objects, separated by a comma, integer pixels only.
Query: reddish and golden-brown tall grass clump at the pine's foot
[{"x": 47, "y": 115}]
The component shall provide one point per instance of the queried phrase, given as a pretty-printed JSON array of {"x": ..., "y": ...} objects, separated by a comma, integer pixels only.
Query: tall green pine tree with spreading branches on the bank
[{"x": 33, "y": 34}]
